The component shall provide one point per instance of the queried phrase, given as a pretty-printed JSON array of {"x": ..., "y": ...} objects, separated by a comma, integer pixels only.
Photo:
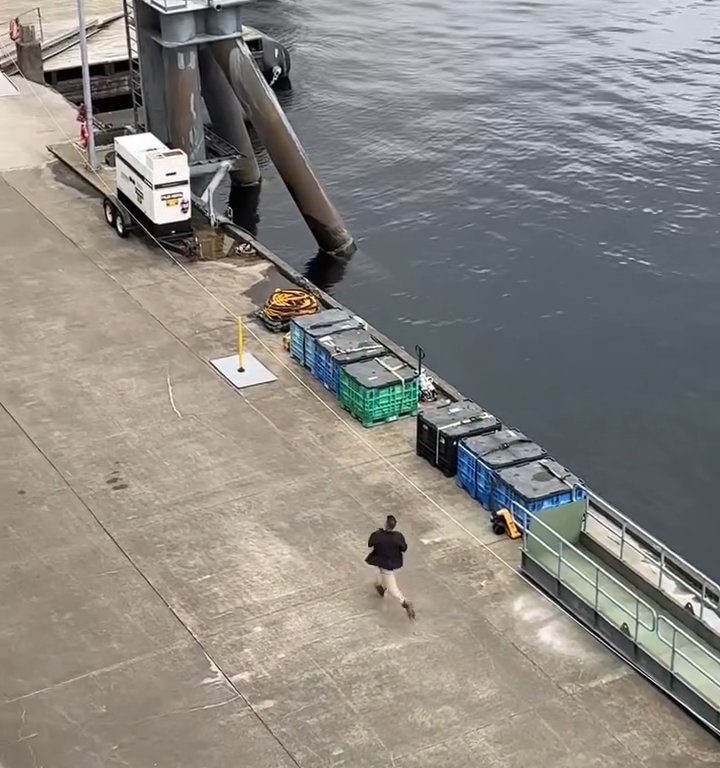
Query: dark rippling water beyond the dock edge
[{"x": 534, "y": 186}]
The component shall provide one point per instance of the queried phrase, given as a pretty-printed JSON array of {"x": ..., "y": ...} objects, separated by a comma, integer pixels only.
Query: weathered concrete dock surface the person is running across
[{"x": 181, "y": 564}]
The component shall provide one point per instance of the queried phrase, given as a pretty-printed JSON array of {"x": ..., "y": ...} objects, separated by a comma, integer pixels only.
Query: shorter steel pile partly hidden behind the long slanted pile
[{"x": 228, "y": 117}]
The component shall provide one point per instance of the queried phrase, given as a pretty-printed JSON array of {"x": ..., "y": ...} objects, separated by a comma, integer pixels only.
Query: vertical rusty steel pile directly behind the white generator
[{"x": 182, "y": 85}]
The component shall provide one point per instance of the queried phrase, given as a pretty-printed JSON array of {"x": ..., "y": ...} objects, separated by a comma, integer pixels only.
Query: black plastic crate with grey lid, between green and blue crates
[{"x": 441, "y": 425}]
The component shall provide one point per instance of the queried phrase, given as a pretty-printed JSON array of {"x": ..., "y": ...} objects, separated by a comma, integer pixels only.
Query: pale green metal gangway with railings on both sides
[{"x": 652, "y": 608}]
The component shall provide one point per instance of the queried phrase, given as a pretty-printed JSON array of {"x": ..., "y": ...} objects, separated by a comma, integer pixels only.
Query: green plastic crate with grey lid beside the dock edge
[{"x": 378, "y": 390}]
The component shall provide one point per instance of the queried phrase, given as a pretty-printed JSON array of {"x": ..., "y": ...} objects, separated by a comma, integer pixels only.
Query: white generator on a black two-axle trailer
[{"x": 152, "y": 185}]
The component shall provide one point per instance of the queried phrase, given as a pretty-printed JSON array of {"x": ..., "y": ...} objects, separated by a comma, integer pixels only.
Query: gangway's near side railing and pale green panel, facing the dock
[{"x": 680, "y": 645}]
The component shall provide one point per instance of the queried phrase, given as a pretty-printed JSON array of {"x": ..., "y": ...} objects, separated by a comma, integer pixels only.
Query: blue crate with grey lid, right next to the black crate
[{"x": 480, "y": 458}]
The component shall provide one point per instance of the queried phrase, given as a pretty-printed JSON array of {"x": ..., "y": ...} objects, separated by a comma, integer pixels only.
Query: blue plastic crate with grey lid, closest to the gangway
[{"x": 535, "y": 486}]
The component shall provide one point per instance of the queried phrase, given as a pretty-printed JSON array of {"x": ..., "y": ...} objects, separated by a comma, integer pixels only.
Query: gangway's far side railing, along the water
[{"x": 637, "y": 538}]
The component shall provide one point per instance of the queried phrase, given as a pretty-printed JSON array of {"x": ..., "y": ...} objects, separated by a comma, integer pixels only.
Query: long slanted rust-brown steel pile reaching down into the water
[{"x": 283, "y": 146}]
